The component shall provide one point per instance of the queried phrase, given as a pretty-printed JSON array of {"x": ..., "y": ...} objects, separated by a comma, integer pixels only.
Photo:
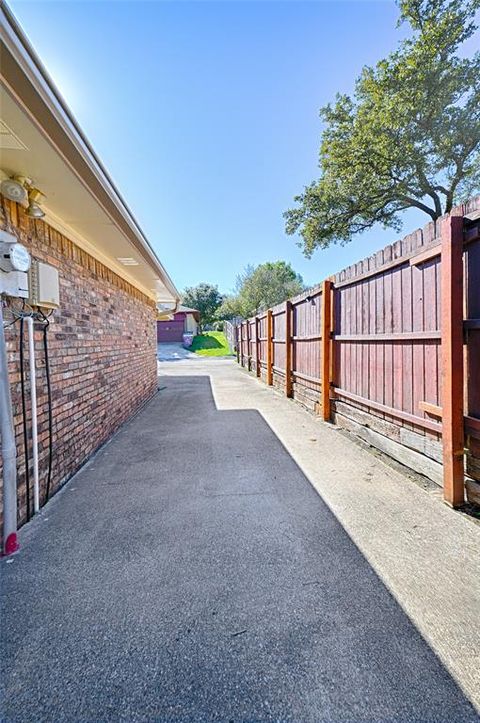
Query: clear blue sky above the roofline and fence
[{"x": 206, "y": 115}]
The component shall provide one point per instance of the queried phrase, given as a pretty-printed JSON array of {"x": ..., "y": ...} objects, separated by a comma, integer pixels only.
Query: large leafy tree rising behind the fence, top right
[{"x": 409, "y": 137}]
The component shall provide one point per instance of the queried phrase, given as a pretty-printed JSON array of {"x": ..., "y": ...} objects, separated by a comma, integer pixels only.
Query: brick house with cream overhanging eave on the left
[{"x": 101, "y": 335}]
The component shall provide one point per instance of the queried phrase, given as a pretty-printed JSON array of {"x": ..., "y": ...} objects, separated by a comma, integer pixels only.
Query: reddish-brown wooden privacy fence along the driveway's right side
[{"x": 389, "y": 348}]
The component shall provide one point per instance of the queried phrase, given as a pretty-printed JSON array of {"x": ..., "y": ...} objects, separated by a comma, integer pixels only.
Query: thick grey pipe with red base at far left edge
[{"x": 9, "y": 451}]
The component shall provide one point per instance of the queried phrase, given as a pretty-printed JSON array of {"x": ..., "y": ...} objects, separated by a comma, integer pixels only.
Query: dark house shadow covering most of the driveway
[{"x": 192, "y": 573}]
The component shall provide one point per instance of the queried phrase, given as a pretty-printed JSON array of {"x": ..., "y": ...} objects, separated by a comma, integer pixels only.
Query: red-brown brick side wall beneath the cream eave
[{"x": 102, "y": 351}]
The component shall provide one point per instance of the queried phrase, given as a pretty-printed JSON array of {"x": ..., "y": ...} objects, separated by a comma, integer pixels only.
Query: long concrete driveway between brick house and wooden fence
[{"x": 227, "y": 557}]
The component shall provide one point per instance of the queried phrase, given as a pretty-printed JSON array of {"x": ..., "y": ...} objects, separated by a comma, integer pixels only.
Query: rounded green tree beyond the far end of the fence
[{"x": 259, "y": 287}]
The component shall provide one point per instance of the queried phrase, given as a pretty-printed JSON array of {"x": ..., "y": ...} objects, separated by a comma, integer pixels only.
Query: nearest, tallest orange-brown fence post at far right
[{"x": 452, "y": 360}]
